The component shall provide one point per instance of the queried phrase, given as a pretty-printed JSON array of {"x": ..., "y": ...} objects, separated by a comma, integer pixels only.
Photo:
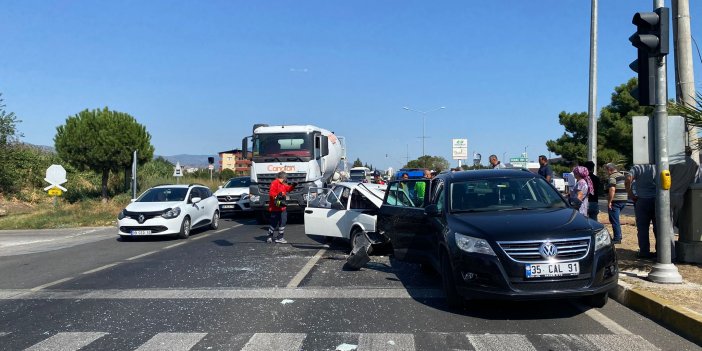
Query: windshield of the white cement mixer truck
[{"x": 283, "y": 144}]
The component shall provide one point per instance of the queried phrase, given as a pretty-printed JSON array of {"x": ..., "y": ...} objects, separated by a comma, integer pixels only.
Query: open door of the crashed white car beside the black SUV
[{"x": 325, "y": 212}]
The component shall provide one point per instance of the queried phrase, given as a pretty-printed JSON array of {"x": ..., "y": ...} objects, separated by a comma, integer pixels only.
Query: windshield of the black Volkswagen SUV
[{"x": 503, "y": 194}]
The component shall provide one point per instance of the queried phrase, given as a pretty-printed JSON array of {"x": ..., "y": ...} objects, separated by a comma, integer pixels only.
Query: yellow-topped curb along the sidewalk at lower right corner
[{"x": 679, "y": 319}]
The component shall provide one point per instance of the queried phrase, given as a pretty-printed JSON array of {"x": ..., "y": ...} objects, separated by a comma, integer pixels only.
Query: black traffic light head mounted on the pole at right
[{"x": 651, "y": 40}]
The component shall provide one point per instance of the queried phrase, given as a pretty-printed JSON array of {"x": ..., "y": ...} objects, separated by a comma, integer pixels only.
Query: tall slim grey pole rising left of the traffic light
[{"x": 592, "y": 99}]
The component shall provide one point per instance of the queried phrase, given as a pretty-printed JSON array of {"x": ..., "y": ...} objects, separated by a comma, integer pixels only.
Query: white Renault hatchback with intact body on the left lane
[{"x": 169, "y": 210}]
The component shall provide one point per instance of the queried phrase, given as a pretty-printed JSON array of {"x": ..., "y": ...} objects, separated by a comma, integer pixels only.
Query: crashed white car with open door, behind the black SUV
[{"x": 346, "y": 210}]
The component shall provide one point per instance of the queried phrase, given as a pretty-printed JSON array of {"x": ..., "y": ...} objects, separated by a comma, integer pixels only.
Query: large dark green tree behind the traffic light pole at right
[{"x": 614, "y": 131}]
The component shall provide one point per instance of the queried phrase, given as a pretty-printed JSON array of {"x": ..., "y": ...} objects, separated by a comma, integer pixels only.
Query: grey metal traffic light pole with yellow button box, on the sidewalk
[{"x": 664, "y": 271}]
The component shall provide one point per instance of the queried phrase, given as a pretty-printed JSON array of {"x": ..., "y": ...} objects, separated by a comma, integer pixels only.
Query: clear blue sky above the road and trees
[{"x": 199, "y": 74}]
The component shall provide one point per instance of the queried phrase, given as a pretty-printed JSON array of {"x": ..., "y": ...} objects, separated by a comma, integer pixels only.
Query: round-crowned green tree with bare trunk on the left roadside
[{"x": 102, "y": 141}]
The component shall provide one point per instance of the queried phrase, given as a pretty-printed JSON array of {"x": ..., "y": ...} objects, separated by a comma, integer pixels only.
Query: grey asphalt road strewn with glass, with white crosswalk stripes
[{"x": 229, "y": 290}]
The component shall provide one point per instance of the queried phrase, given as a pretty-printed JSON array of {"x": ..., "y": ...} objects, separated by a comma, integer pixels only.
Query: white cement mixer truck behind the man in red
[{"x": 310, "y": 156}]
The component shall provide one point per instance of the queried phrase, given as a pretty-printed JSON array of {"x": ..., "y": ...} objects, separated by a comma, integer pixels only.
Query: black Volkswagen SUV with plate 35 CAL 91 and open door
[{"x": 499, "y": 234}]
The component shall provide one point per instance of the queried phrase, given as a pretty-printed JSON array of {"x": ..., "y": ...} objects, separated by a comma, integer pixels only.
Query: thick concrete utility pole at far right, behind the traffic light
[{"x": 684, "y": 75}]
